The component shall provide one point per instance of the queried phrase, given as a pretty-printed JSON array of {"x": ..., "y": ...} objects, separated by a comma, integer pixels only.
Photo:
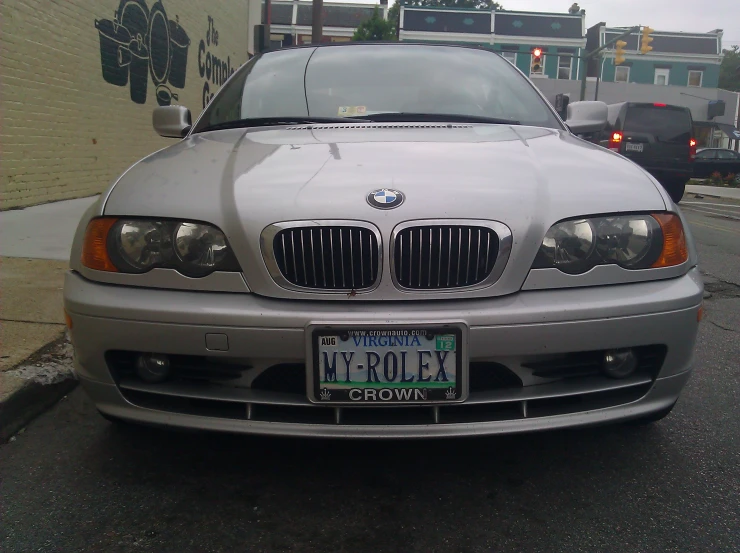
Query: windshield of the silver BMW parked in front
[{"x": 388, "y": 82}]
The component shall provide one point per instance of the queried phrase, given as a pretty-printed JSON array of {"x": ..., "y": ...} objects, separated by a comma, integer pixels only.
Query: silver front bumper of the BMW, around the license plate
[{"x": 268, "y": 332}]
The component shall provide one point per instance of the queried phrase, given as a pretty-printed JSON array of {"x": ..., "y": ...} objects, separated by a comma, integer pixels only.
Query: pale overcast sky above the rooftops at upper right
[{"x": 662, "y": 15}]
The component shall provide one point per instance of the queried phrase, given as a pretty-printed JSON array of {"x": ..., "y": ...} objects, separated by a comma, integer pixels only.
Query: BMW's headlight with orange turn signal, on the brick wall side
[{"x": 139, "y": 245}]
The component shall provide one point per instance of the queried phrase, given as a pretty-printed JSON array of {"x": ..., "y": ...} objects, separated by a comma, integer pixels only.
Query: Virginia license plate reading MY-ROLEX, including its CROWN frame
[{"x": 389, "y": 365}]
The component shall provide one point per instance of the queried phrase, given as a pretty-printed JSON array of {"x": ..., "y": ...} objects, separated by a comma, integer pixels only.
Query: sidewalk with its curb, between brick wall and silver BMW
[{"x": 34, "y": 255}]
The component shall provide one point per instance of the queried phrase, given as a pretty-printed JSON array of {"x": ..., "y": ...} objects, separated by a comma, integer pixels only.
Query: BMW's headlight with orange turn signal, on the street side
[{"x": 630, "y": 241}]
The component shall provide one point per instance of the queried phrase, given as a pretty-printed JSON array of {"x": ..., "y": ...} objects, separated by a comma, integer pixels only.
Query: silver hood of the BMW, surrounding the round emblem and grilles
[{"x": 244, "y": 180}]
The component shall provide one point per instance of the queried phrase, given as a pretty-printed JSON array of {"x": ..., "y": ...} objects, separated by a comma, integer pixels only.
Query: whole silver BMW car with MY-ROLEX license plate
[{"x": 383, "y": 241}]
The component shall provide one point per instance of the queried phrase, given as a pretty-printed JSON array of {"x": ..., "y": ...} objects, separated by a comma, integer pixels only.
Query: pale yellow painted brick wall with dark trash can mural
[{"x": 78, "y": 89}]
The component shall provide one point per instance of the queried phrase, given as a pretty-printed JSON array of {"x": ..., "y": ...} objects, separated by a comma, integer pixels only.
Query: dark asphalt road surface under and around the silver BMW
[{"x": 74, "y": 482}]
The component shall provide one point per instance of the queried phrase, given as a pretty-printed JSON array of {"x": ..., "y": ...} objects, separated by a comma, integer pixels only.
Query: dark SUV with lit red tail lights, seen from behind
[{"x": 658, "y": 137}]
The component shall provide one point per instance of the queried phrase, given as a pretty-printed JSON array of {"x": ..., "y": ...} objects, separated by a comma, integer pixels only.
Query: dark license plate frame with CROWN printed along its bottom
[{"x": 438, "y": 395}]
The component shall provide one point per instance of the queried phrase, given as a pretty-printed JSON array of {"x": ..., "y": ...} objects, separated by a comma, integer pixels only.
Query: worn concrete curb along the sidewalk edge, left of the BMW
[{"x": 29, "y": 398}]
